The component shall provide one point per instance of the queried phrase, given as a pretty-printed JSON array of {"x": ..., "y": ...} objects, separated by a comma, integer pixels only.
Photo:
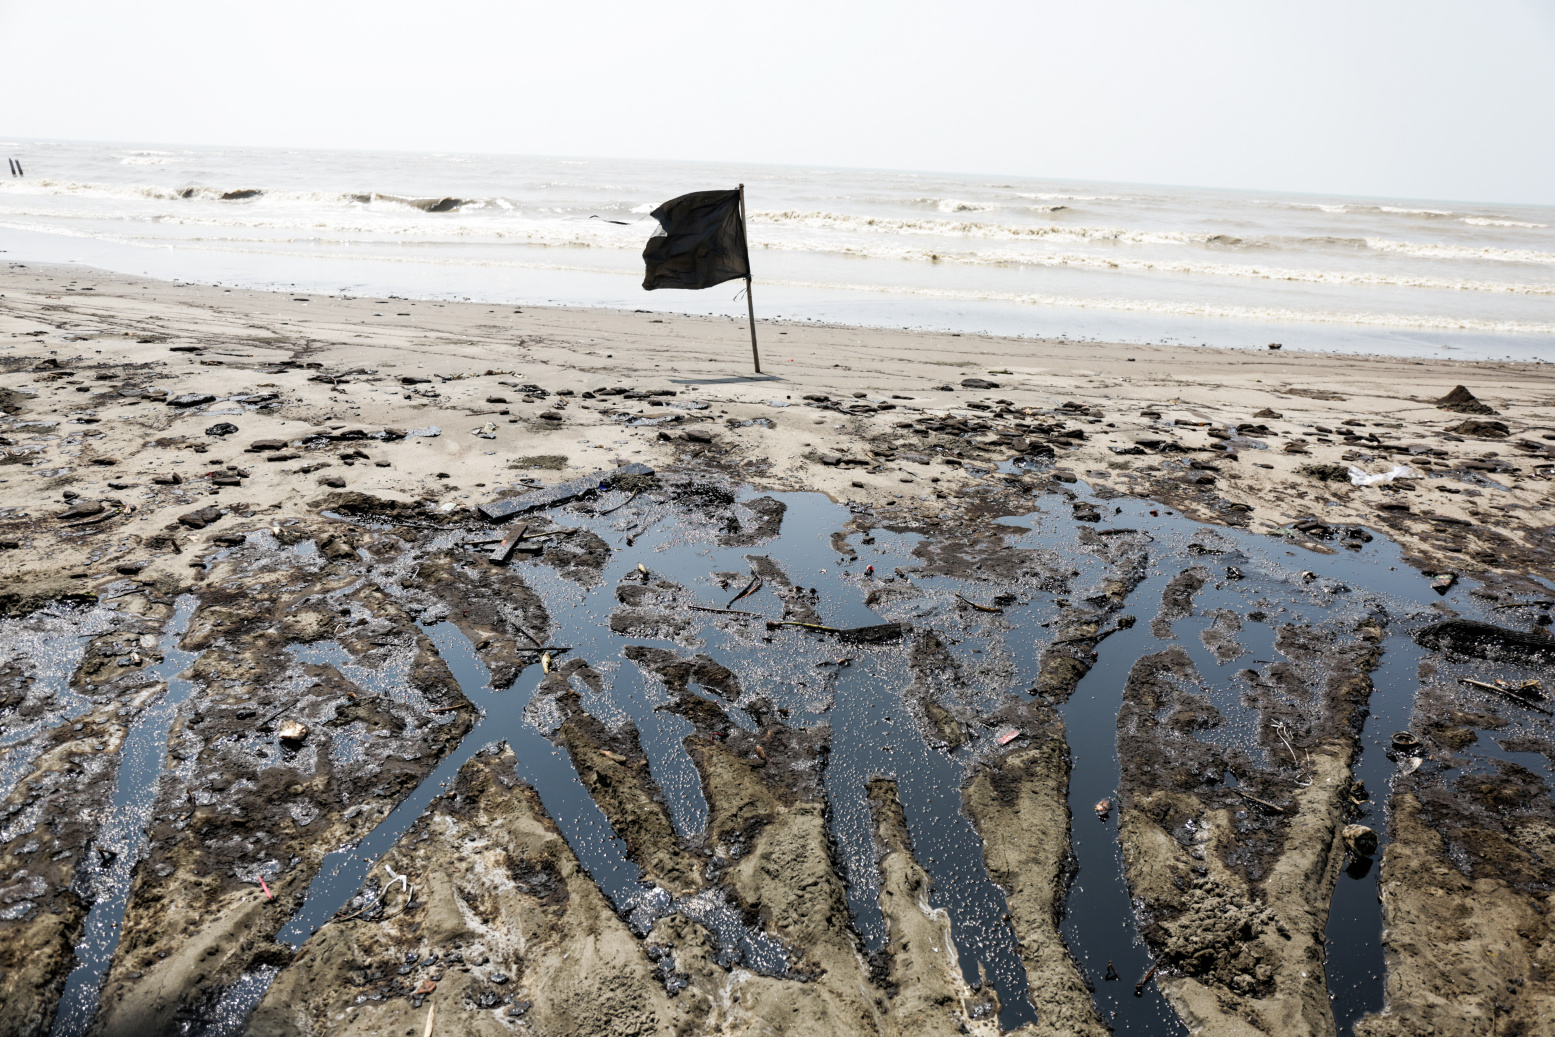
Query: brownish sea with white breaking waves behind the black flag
[{"x": 1001, "y": 254}]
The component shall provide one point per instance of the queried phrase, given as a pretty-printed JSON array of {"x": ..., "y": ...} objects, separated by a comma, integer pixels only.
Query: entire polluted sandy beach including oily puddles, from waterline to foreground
[{"x": 803, "y": 727}]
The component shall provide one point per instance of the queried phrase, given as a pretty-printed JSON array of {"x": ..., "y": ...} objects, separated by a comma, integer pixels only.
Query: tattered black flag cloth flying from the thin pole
[{"x": 701, "y": 242}]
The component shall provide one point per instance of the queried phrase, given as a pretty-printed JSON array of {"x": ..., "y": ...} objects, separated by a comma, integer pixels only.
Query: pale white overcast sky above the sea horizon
[{"x": 1420, "y": 99}]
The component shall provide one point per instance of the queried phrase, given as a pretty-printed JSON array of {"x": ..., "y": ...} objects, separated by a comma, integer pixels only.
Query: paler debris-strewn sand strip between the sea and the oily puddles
[{"x": 85, "y": 346}]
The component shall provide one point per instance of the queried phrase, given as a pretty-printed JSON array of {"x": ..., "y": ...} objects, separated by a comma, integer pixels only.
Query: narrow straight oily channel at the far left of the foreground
[{"x": 122, "y": 840}]
